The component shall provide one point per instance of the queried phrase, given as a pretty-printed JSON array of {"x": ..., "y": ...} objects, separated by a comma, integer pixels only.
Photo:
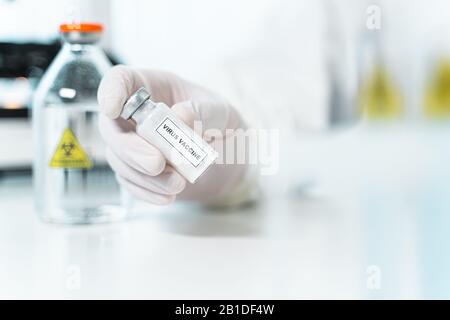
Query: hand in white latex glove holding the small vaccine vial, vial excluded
[{"x": 139, "y": 166}]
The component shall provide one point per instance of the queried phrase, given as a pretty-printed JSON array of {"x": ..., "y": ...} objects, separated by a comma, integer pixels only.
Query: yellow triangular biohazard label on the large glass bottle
[{"x": 69, "y": 154}]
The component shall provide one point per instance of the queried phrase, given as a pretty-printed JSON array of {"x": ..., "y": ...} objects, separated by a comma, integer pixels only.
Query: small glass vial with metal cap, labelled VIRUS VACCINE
[{"x": 185, "y": 150}]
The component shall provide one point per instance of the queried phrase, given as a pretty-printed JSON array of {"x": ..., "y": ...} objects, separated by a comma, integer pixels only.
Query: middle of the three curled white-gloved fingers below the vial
[{"x": 169, "y": 182}]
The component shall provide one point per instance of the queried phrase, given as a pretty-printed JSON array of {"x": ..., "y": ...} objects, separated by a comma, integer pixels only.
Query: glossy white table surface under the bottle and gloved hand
[{"x": 368, "y": 244}]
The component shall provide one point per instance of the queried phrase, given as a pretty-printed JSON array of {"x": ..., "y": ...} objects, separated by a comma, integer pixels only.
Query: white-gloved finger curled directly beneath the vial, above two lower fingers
[{"x": 121, "y": 138}]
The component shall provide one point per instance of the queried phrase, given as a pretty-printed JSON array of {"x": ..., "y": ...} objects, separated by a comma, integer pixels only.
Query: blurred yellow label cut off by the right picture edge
[{"x": 437, "y": 96}]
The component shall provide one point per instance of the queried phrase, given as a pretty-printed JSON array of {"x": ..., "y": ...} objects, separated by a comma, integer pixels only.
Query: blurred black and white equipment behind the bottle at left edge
[{"x": 21, "y": 67}]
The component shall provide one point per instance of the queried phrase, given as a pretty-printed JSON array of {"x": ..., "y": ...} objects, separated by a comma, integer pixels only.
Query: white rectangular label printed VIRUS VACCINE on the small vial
[{"x": 181, "y": 141}]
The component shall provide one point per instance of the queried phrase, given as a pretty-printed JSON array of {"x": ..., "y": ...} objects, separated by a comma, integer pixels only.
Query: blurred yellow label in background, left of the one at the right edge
[{"x": 379, "y": 97}]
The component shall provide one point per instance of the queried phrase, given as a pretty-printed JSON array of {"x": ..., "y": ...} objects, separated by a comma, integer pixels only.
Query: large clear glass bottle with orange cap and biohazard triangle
[{"x": 73, "y": 182}]
